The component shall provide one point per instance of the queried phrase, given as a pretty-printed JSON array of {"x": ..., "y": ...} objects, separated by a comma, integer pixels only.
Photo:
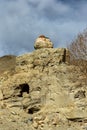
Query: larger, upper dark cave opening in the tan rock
[{"x": 24, "y": 88}]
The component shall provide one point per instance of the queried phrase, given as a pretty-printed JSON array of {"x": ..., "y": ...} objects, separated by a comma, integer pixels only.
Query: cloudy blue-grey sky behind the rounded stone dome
[{"x": 22, "y": 21}]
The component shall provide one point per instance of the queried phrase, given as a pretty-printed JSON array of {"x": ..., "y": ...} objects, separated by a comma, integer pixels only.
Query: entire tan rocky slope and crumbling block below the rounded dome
[{"x": 44, "y": 93}]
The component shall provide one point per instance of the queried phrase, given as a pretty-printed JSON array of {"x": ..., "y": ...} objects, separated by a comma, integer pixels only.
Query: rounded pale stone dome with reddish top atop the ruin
[{"x": 43, "y": 42}]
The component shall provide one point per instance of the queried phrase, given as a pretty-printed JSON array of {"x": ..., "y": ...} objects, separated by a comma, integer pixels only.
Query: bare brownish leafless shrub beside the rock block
[{"x": 78, "y": 52}]
